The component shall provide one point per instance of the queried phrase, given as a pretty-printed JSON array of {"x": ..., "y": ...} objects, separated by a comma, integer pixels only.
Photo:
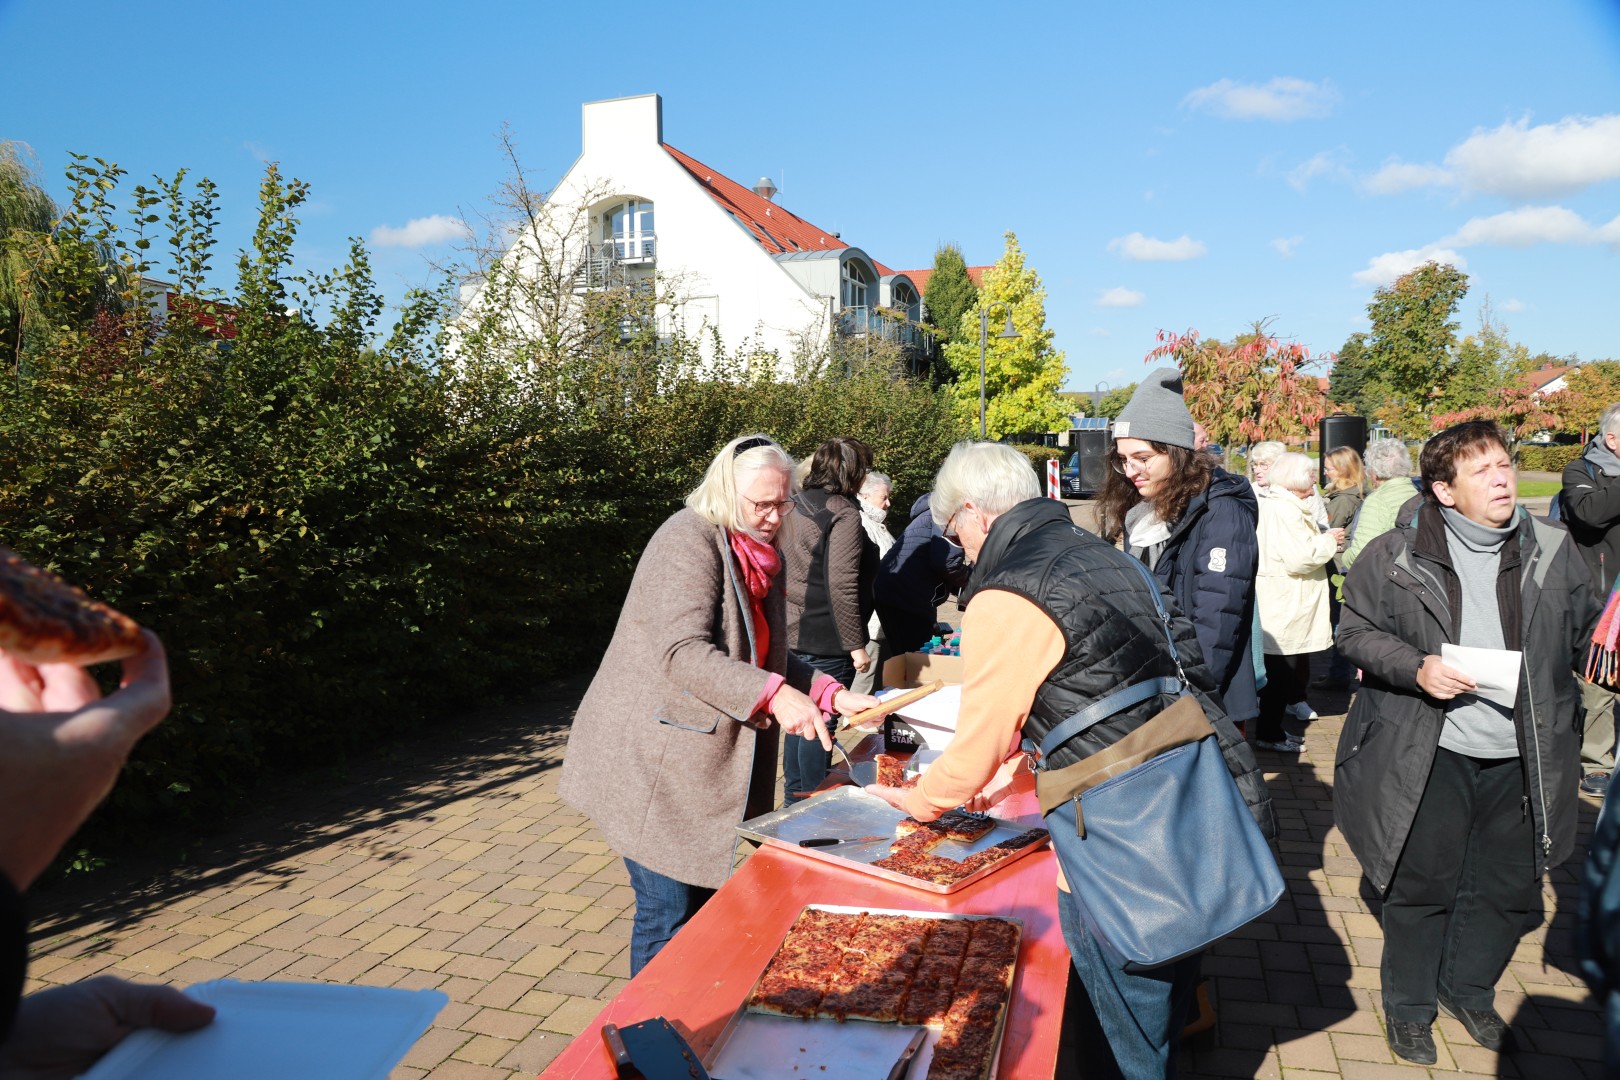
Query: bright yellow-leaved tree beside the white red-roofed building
[{"x": 1023, "y": 375}]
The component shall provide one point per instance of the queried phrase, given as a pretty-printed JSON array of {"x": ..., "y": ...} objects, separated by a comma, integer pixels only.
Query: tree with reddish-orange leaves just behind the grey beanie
[{"x": 1255, "y": 389}]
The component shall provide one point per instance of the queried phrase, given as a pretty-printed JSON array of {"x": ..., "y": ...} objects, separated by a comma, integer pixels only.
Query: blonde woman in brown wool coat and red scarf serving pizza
[{"x": 676, "y": 739}]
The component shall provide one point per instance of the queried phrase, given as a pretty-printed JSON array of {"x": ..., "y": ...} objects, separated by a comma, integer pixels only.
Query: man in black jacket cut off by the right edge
[{"x": 1592, "y": 512}]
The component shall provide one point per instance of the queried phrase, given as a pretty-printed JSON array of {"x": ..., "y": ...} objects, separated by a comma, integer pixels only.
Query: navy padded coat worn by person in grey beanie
[{"x": 1209, "y": 566}]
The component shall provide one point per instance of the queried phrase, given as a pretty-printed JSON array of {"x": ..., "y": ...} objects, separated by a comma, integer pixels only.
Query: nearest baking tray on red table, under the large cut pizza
[{"x": 759, "y": 1047}]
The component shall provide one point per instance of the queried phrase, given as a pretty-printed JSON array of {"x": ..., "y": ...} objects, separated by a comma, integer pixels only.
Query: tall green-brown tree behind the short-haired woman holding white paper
[{"x": 1413, "y": 342}]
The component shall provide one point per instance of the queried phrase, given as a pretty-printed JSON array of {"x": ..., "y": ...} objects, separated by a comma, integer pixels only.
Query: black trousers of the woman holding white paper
[{"x": 1464, "y": 890}]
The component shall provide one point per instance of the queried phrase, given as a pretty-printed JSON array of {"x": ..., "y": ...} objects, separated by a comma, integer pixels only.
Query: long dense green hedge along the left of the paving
[{"x": 339, "y": 538}]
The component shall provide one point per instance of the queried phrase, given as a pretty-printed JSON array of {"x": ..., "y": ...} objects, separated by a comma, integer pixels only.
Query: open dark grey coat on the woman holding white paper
[{"x": 1402, "y": 603}]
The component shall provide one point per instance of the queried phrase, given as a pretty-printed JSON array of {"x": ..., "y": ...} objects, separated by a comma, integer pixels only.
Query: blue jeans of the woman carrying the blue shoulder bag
[{"x": 1141, "y": 1014}]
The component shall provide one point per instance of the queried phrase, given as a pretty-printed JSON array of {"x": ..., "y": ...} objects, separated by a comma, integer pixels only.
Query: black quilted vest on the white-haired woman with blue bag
[{"x": 1112, "y": 632}]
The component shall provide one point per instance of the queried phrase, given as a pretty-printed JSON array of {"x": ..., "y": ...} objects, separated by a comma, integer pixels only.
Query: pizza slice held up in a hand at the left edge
[{"x": 46, "y": 621}]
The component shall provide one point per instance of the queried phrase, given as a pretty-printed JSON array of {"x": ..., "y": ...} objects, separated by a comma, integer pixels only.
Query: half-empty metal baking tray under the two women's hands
[{"x": 850, "y": 812}]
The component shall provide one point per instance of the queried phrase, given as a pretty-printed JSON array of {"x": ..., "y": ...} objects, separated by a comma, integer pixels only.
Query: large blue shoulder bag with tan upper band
[{"x": 1153, "y": 833}]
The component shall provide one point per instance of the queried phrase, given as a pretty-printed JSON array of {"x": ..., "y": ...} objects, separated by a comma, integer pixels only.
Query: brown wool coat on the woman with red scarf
[{"x": 660, "y": 755}]
